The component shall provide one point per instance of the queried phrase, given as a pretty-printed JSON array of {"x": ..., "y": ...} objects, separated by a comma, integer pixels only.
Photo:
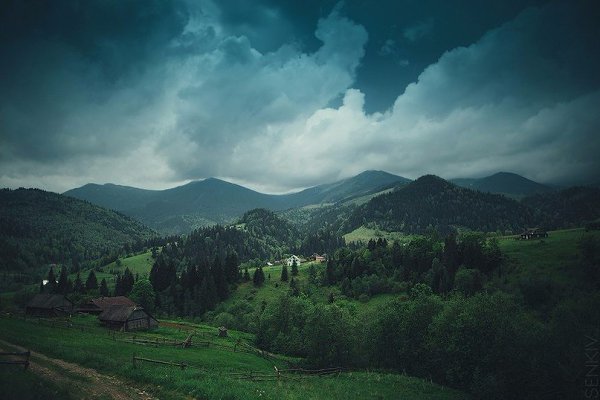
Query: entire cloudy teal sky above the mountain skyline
[{"x": 279, "y": 95}]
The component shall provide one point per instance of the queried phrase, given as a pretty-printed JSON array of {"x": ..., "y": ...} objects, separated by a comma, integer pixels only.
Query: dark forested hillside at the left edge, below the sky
[{"x": 38, "y": 228}]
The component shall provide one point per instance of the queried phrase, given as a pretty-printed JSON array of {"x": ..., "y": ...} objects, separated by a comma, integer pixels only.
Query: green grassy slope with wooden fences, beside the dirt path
[{"x": 210, "y": 374}]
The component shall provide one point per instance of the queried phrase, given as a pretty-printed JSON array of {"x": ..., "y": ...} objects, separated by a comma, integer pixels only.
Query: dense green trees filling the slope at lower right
[{"x": 447, "y": 322}]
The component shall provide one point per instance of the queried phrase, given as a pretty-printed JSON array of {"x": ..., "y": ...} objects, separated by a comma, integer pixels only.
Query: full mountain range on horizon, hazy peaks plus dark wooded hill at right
[{"x": 369, "y": 196}]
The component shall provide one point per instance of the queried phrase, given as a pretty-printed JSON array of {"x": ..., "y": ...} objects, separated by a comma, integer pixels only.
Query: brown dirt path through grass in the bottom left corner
[{"x": 86, "y": 382}]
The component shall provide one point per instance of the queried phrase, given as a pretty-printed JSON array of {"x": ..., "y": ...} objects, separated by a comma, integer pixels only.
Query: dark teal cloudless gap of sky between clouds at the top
[{"x": 405, "y": 36}]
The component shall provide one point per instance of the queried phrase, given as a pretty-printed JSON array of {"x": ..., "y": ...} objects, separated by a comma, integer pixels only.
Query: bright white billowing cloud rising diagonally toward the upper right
[{"x": 478, "y": 110}]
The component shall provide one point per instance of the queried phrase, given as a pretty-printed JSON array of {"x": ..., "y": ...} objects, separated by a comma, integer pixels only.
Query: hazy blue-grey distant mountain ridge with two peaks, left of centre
[{"x": 214, "y": 201}]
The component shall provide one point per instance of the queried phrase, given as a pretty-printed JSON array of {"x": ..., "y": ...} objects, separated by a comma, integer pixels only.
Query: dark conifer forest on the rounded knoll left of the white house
[{"x": 191, "y": 275}]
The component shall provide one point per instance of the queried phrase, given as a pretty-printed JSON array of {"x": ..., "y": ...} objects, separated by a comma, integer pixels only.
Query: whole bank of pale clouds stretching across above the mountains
[{"x": 521, "y": 99}]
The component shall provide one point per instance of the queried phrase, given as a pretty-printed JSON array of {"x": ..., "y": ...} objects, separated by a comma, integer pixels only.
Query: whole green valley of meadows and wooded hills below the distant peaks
[{"x": 391, "y": 285}]
